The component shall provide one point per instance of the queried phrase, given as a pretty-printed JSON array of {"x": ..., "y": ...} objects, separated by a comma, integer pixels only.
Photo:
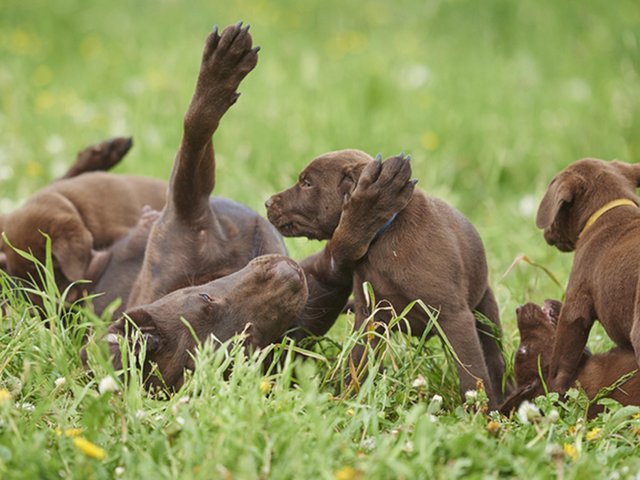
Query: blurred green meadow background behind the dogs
[{"x": 490, "y": 98}]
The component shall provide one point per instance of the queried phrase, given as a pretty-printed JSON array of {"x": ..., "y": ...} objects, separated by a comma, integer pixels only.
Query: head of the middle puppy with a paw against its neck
[{"x": 312, "y": 207}]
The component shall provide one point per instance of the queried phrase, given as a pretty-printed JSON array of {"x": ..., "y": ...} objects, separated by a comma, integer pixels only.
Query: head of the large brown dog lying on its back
[{"x": 262, "y": 300}]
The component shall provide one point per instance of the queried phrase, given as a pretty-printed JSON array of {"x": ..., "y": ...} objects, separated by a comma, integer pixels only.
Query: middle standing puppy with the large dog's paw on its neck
[{"x": 427, "y": 251}]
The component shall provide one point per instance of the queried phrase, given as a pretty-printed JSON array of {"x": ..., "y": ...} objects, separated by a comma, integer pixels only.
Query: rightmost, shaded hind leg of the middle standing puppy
[{"x": 490, "y": 343}]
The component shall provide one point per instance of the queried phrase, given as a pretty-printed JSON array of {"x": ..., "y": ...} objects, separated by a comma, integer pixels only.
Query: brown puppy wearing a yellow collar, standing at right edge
[{"x": 592, "y": 207}]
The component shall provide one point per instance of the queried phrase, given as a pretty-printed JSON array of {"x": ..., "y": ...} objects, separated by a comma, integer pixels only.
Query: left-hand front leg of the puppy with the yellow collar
[{"x": 574, "y": 323}]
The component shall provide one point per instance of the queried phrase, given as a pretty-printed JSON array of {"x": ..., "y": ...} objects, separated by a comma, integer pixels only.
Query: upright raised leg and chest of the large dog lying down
[{"x": 193, "y": 241}]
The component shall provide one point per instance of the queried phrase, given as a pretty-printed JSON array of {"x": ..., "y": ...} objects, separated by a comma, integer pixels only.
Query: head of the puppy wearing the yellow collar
[{"x": 577, "y": 192}]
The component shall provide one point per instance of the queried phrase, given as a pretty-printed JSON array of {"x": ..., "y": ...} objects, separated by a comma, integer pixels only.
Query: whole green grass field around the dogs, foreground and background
[{"x": 491, "y": 99}]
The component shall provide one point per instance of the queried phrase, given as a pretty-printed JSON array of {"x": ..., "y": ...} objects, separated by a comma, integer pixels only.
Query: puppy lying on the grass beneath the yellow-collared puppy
[{"x": 595, "y": 372}]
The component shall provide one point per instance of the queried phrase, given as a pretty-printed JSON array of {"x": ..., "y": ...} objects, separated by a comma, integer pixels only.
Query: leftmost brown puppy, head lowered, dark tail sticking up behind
[{"x": 72, "y": 212}]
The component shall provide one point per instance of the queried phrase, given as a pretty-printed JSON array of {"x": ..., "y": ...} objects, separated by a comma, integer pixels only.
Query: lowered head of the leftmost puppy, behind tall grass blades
[{"x": 71, "y": 241}]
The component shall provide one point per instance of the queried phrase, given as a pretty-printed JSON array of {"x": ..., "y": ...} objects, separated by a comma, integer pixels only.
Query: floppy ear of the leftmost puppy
[{"x": 72, "y": 250}]
